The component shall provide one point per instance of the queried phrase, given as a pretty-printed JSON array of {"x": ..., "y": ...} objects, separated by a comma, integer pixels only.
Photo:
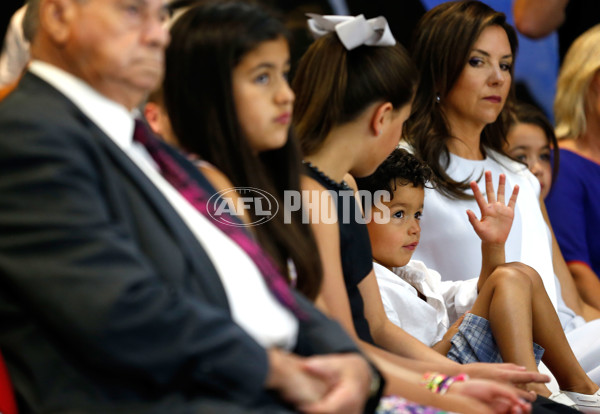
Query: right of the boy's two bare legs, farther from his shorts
[{"x": 547, "y": 332}]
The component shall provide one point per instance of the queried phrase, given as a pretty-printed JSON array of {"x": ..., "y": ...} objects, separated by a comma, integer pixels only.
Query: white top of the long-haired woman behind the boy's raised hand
[{"x": 448, "y": 241}]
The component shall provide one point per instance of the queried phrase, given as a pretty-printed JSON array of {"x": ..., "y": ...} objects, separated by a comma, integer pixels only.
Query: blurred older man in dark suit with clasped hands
[{"x": 112, "y": 297}]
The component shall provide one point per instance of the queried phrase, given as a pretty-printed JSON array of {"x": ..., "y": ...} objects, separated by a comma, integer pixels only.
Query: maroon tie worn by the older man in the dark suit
[{"x": 198, "y": 197}]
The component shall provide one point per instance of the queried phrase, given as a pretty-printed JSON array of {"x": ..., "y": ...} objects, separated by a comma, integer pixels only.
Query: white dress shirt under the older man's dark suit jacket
[{"x": 252, "y": 304}]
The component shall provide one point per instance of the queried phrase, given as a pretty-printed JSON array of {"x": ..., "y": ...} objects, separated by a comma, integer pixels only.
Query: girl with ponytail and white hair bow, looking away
[{"x": 354, "y": 88}]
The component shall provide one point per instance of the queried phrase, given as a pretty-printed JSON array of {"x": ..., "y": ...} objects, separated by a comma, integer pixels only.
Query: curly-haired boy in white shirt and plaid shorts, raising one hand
[{"x": 512, "y": 310}]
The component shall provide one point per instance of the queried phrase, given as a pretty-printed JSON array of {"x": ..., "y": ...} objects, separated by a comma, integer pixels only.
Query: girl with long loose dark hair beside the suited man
[{"x": 234, "y": 114}]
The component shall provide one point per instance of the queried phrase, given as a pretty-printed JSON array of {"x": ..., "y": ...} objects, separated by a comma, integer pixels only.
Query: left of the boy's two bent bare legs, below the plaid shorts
[{"x": 505, "y": 300}]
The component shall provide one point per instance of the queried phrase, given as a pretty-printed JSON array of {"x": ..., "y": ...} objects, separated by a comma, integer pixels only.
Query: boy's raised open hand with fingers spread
[{"x": 496, "y": 216}]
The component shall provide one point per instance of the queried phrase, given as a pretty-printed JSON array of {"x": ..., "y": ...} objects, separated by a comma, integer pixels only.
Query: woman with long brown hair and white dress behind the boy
[{"x": 465, "y": 52}]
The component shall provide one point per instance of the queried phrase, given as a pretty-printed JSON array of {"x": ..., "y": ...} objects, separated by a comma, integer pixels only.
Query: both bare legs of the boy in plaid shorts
[{"x": 520, "y": 312}]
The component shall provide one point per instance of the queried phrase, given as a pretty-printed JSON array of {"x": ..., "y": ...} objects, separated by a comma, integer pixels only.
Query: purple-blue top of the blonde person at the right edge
[{"x": 573, "y": 209}]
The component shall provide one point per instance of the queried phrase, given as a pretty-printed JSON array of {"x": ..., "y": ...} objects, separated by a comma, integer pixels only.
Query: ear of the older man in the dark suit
[{"x": 56, "y": 19}]
